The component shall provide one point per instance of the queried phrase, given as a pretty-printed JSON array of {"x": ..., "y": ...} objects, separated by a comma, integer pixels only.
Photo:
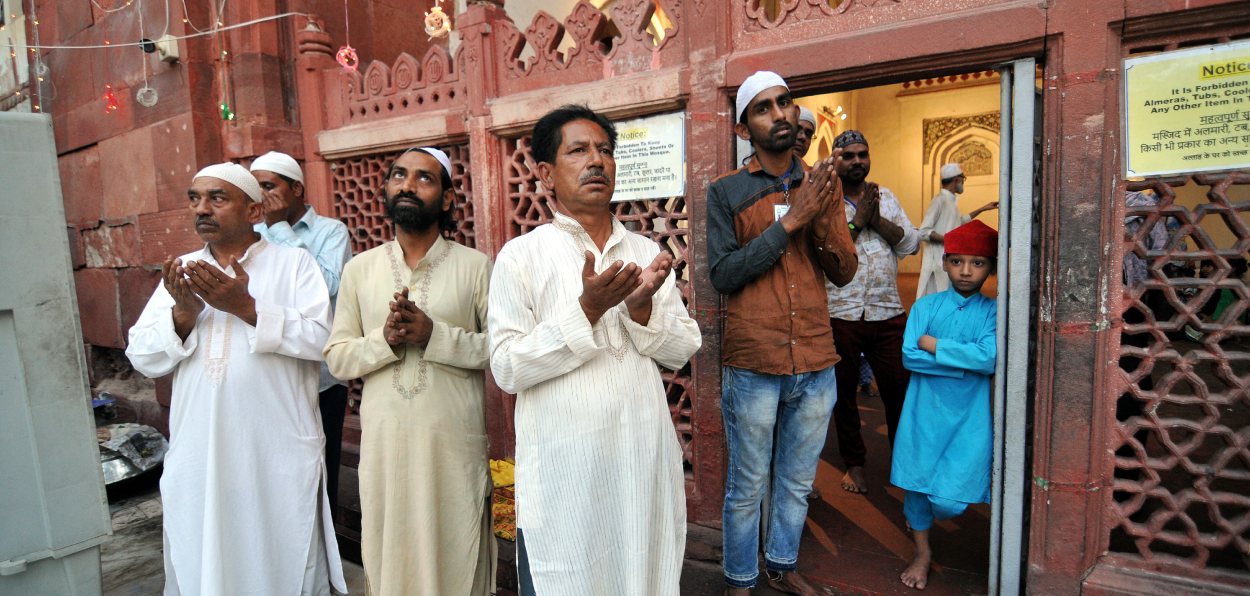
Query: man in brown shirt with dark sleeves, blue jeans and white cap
[{"x": 776, "y": 237}]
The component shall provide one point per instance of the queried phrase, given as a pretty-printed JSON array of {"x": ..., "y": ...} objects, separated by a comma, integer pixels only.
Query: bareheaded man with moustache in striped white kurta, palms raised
[{"x": 582, "y": 312}]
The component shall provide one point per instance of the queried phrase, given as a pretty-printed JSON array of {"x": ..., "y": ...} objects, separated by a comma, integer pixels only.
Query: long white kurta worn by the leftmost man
[{"x": 244, "y": 483}]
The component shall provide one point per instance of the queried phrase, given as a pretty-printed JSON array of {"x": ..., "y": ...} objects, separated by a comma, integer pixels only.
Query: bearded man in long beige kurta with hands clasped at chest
[{"x": 411, "y": 322}]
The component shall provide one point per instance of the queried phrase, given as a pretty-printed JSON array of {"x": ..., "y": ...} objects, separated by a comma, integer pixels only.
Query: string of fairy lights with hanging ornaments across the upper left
[{"x": 437, "y": 26}]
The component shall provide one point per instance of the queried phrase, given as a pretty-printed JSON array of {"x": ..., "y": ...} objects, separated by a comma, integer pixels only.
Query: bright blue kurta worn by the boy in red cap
[{"x": 944, "y": 444}]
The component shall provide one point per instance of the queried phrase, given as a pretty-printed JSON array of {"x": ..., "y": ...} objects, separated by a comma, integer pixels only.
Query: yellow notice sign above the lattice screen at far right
[{"x": 1188, "y": 111}]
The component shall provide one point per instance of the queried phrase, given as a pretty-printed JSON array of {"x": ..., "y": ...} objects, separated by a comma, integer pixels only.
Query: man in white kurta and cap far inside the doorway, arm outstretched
[{"x": 942, "y": 218}]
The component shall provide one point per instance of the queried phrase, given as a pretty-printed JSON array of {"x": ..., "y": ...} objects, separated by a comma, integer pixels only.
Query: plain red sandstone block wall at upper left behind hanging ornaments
[{"x": 124, "y": 174}]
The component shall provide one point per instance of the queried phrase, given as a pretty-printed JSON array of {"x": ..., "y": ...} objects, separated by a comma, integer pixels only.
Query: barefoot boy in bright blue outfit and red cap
[{"x": 943, "y": 448}]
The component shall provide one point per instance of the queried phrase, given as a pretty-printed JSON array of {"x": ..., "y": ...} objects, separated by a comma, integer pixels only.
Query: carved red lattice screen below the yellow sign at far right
[{"x": 1182, "y": 480}]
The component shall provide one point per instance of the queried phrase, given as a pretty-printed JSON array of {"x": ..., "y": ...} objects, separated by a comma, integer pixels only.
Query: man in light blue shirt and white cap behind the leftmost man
[{"x": 292, "y": 222}]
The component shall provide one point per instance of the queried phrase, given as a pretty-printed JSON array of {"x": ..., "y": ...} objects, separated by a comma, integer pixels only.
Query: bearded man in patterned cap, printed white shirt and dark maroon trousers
[{"x": 867, "y": 314}]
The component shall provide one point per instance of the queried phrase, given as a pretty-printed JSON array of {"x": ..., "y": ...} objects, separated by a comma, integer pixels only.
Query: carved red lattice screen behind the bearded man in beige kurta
[{"x": 358, "y": 182}]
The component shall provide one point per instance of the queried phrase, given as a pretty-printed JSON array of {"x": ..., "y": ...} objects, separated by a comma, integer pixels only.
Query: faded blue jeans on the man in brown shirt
[{"x": 794, "y": 409}]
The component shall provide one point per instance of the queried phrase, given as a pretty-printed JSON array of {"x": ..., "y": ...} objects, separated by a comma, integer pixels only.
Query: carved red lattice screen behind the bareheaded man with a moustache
[{"x": 666, "y": 221}]
